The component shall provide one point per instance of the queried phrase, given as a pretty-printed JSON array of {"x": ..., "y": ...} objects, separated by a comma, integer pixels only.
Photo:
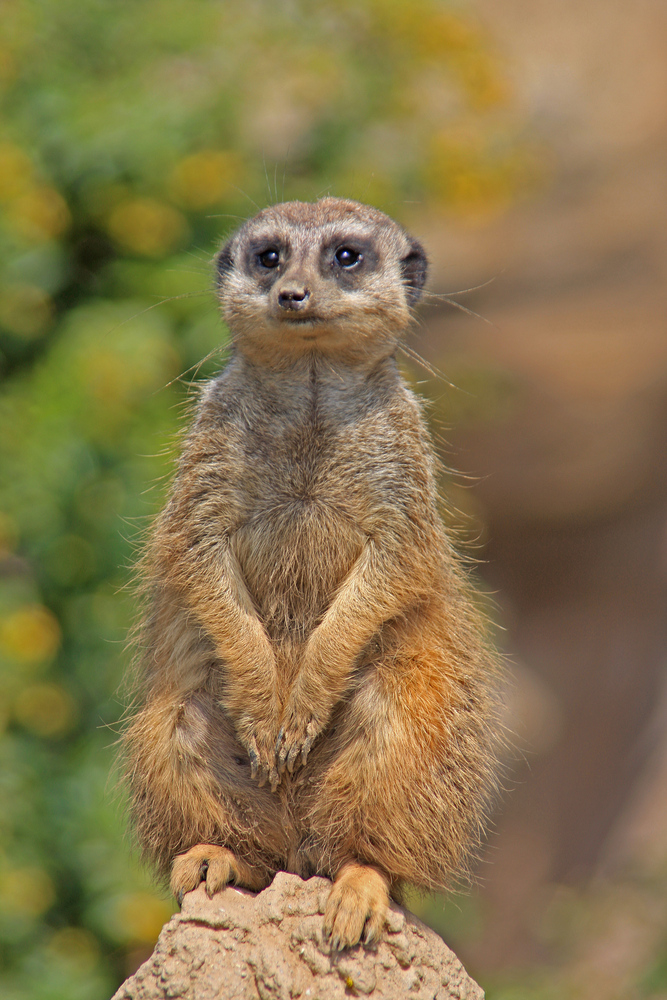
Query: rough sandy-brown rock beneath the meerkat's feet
[{"x": 269, "y": 946}]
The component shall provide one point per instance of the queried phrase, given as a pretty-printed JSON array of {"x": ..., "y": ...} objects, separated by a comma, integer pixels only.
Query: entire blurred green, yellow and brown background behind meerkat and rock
[{"x": 525, "y": 145}]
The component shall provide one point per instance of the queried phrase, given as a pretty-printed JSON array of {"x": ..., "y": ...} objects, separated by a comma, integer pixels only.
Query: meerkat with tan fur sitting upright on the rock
[{"x": 317, "y": 690}]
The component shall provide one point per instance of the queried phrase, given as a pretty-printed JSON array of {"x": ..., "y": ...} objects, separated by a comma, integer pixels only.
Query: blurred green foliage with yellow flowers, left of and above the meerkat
[{"x": 133, "y": 134}]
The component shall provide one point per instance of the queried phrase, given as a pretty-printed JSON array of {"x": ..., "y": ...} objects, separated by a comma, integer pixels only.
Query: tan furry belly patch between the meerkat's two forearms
[{"x": 293, "y": 556}]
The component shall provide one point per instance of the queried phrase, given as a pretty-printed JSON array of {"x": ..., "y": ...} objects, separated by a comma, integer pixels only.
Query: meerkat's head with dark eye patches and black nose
[{"x": 334, "y": 277}]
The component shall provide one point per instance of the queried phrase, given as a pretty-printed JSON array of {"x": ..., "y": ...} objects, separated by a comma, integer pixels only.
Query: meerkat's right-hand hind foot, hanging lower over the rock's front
[{"x": 359, "y": 898}]
